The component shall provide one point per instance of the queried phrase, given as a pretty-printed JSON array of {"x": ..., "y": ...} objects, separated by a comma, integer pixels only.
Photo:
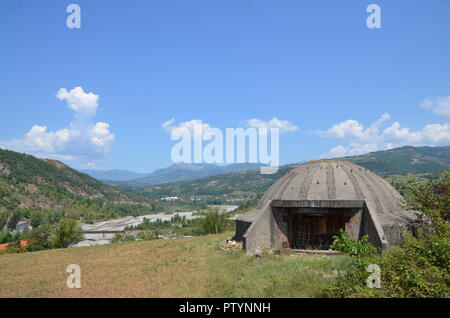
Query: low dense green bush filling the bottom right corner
[{"x": 419, "y": 268}]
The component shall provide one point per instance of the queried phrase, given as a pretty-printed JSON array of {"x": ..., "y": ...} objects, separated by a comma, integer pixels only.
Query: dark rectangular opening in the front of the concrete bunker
[{"x": 315, "y": 231}]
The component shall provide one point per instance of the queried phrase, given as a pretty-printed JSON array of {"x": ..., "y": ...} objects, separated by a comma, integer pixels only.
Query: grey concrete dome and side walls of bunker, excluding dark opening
[{"x": 323, "y": 185}]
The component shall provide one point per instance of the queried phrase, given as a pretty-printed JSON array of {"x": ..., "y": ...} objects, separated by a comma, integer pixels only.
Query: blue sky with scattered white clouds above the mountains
[{"x": 314, "y": 65}]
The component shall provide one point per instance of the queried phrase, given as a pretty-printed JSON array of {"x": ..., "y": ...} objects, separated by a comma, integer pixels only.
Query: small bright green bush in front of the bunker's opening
[{"x": 344, "y": 243}]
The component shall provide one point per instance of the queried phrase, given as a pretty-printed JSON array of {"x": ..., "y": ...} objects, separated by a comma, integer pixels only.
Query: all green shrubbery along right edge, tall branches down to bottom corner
[{"x": 420, "y": 267}]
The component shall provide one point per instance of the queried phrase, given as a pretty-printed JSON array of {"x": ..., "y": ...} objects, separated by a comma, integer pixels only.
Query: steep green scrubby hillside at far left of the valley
[{"x": 29, "y": 185}]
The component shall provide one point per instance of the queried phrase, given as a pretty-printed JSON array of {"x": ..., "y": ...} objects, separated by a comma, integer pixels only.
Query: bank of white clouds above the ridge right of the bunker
[{"x": 361, "y": 139}]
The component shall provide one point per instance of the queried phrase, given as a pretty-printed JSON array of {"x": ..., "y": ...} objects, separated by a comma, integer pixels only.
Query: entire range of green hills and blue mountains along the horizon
[{"x": 27, "y": 182}]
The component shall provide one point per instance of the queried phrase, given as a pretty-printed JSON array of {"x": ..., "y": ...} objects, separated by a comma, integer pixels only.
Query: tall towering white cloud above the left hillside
[{"x": 82, "y": 142}]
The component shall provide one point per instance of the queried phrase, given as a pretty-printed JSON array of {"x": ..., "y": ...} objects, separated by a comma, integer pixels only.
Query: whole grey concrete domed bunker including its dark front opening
[{"x": 312, "y": 202}]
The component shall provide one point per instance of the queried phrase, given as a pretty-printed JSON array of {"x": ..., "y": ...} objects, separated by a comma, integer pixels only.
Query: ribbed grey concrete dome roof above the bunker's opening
[{"x": 336, "y": 180}]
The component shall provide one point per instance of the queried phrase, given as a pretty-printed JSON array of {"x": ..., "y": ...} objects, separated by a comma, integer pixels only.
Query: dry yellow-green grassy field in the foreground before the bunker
[{"x": 194, "y": 267}]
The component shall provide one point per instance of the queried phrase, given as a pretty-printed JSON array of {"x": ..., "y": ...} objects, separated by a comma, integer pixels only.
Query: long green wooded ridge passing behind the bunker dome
[{"x": 399, "y": 161}]
